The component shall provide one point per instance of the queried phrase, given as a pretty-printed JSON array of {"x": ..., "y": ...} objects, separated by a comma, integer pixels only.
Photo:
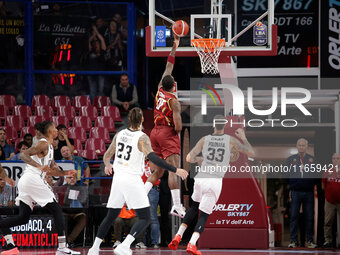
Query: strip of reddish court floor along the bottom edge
[{"x": 205, "y": 252}]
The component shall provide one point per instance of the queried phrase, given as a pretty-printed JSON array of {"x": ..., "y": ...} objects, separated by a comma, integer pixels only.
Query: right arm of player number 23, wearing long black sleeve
[{"x": 144, "y": 145}]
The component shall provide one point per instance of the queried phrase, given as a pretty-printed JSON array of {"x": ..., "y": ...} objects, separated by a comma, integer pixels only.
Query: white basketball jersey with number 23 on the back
[{"x": 128, "y": 158}]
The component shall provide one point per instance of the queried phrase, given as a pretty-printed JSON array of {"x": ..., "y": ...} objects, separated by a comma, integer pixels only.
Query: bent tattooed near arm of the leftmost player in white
[{"x": 41, "y": 148}]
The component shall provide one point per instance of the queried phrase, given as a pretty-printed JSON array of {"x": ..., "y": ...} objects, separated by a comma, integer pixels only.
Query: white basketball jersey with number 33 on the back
[{"x": 216, "y": 155}]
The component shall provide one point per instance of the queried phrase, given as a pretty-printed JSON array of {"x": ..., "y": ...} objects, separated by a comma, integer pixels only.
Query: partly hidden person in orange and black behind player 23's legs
[{"x": 125, "y": 220}]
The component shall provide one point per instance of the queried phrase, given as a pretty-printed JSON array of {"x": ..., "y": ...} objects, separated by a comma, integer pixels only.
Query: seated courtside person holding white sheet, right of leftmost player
[{"x": 75, "y": 197}]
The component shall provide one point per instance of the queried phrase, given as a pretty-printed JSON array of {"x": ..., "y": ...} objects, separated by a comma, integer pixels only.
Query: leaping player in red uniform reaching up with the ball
[{"x": 164, "y": 136}]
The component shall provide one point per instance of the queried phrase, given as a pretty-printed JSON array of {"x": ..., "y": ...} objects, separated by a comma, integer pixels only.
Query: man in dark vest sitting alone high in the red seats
[{"x": 124, "y": 95}]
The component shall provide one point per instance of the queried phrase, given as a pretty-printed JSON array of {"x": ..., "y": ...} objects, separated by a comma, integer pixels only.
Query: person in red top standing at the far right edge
[{"x": 331, "y": 186}]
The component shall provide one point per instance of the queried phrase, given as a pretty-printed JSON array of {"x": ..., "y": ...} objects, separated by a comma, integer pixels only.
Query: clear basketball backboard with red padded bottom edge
[{"x": 220, "y": 19}]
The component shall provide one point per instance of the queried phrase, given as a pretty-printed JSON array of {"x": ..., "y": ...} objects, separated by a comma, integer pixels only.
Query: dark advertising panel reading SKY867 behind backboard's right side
[{"x": 298, "y": 32}]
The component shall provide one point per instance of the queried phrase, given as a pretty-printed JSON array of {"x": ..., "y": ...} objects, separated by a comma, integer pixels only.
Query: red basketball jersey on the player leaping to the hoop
[{"x": 162, "y": 113}]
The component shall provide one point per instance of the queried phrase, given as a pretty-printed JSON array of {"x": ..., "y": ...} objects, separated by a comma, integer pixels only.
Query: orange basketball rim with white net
[{"x": 208, "y": 50}]
